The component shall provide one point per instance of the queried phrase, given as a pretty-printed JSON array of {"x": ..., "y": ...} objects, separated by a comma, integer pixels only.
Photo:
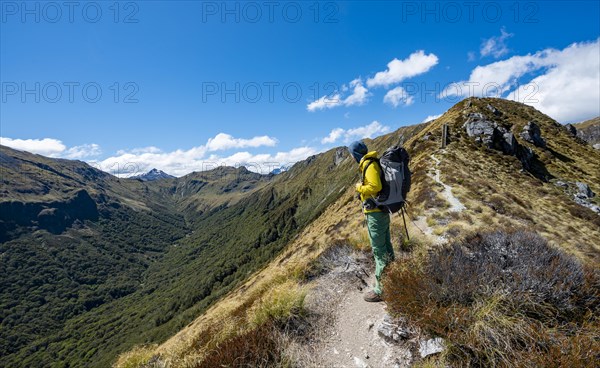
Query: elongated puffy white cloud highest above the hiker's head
[{"x": 399, "y": 70}]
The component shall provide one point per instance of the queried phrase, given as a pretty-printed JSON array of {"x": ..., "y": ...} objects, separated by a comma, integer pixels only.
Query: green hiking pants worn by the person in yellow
[{"x": 378, "y": 224}]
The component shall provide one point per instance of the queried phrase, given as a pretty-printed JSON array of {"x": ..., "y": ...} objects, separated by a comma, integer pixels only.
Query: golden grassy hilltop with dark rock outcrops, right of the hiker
[{"x": 496, "y": 188}]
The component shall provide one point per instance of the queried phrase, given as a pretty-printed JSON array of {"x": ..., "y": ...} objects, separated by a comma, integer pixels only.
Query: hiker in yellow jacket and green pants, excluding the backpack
[{"x": 378, "y": 221}]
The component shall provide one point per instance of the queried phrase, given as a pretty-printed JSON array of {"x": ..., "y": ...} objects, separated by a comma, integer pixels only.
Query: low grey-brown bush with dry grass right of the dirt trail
[{"x": 502, "y": 299}]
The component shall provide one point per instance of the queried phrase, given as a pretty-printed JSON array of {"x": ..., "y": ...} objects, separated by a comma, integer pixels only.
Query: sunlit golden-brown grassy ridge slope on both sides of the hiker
[{"x": 497, "y": 189}]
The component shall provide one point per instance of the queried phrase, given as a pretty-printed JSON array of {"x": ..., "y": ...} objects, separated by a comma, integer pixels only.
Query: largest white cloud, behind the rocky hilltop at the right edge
[{"x": 567, "y": 86}]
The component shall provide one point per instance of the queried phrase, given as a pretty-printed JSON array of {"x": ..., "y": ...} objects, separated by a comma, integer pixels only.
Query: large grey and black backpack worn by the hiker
[{"x": 395, "y": 178}]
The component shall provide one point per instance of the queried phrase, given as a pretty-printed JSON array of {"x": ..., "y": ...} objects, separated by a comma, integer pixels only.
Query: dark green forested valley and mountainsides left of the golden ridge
[{"x": 151, "y": 257}]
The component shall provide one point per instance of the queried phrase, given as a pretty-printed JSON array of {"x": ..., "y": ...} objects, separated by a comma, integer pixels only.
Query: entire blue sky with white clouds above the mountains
[{"x": 188, "y": 82}]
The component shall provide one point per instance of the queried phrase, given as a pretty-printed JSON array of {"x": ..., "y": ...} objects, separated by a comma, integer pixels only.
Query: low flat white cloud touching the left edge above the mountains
[{"x": 51, "y": 147}]
